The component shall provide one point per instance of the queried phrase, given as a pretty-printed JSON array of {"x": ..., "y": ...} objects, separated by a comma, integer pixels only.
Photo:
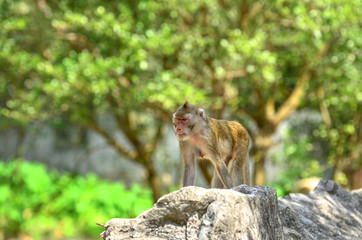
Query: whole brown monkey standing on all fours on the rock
[{"x": 224, "y": 143}]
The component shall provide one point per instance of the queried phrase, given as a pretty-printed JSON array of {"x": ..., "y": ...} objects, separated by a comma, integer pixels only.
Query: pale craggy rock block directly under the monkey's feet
[{"x": 197, "y": 213}]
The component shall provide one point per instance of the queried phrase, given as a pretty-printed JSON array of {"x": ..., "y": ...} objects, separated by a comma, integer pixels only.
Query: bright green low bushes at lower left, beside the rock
[{"x": 42, "y": 204}]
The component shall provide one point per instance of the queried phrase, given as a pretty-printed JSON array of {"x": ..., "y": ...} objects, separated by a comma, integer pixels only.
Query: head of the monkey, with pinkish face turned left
[{"x": 188, "y": 120}]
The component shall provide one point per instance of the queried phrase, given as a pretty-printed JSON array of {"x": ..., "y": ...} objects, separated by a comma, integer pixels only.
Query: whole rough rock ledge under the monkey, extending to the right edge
[{"x": 246, "y": 212}]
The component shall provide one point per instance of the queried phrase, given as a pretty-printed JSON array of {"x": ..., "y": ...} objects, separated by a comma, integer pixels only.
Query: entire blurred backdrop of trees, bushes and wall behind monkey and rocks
[{"x": 88, "y": 88}]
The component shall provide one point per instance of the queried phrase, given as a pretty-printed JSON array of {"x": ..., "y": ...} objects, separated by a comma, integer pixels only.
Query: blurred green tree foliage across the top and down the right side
[{"x": 136, "y": 61}]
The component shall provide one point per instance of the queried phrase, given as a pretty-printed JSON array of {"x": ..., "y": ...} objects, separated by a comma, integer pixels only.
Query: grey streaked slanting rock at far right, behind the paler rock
[{"x": 328, "y": 212}]
